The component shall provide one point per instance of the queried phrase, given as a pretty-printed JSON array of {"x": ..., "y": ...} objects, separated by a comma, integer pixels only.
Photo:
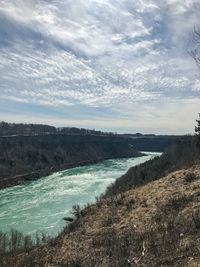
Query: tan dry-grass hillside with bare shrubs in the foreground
[{"x": 157, "y": 224}]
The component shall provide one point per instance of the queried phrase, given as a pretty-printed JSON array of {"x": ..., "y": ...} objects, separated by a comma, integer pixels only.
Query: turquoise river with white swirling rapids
[{"x": 40, "y": 205}]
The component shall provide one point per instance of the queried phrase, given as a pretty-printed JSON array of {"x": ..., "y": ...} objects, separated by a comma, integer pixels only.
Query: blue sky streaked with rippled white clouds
[{"x": 115, "y": 65}]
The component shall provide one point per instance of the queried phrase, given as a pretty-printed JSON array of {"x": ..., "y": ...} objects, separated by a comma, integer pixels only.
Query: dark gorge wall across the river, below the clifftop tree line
[{"x": 24, "y": 158}]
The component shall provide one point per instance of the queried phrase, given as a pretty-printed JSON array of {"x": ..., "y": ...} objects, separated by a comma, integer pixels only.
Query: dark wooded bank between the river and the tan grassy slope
[{"x": 182, "y": 154}]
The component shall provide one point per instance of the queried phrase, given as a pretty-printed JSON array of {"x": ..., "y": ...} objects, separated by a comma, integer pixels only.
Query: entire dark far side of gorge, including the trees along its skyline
[{"x": 30, "y": 151}]
